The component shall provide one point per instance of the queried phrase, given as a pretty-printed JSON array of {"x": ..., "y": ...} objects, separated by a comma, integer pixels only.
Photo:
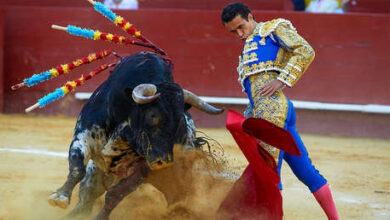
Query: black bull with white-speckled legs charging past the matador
[{"x": 128, "y": 127}]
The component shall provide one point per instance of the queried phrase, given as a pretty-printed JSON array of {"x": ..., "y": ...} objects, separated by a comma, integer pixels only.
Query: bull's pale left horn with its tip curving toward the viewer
[{"x": 145, "y": 93}]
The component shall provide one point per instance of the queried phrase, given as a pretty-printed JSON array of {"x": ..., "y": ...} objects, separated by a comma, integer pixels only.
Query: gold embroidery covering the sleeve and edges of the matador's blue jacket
[{"x": 294, "y": 51}]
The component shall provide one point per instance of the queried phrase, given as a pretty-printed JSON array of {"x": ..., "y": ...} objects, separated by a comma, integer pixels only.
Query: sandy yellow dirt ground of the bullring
[{"x": 33, "y": 164}]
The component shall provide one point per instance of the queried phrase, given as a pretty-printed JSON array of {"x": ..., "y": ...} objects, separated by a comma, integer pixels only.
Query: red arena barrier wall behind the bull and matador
[{"x": 350, "y": 66}]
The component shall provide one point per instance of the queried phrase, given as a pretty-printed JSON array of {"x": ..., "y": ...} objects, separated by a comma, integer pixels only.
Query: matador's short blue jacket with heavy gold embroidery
[{"x": 275, "y": 46}]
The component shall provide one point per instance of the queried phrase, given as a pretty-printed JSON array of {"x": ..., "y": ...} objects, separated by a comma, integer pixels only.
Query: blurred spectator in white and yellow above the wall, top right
[{"x": 325, "y": 6}]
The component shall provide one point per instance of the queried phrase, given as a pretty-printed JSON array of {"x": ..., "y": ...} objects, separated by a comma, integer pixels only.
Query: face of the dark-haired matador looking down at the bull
[{"x": 241, "y": 27}]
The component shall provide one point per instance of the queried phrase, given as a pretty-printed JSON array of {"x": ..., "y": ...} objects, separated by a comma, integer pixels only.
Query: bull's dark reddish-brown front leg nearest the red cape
[{"x": 136, "y": 175}]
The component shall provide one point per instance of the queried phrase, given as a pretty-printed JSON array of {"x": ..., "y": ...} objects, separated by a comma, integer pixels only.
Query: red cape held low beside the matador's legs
[{"x": 255, "y": 195}]
